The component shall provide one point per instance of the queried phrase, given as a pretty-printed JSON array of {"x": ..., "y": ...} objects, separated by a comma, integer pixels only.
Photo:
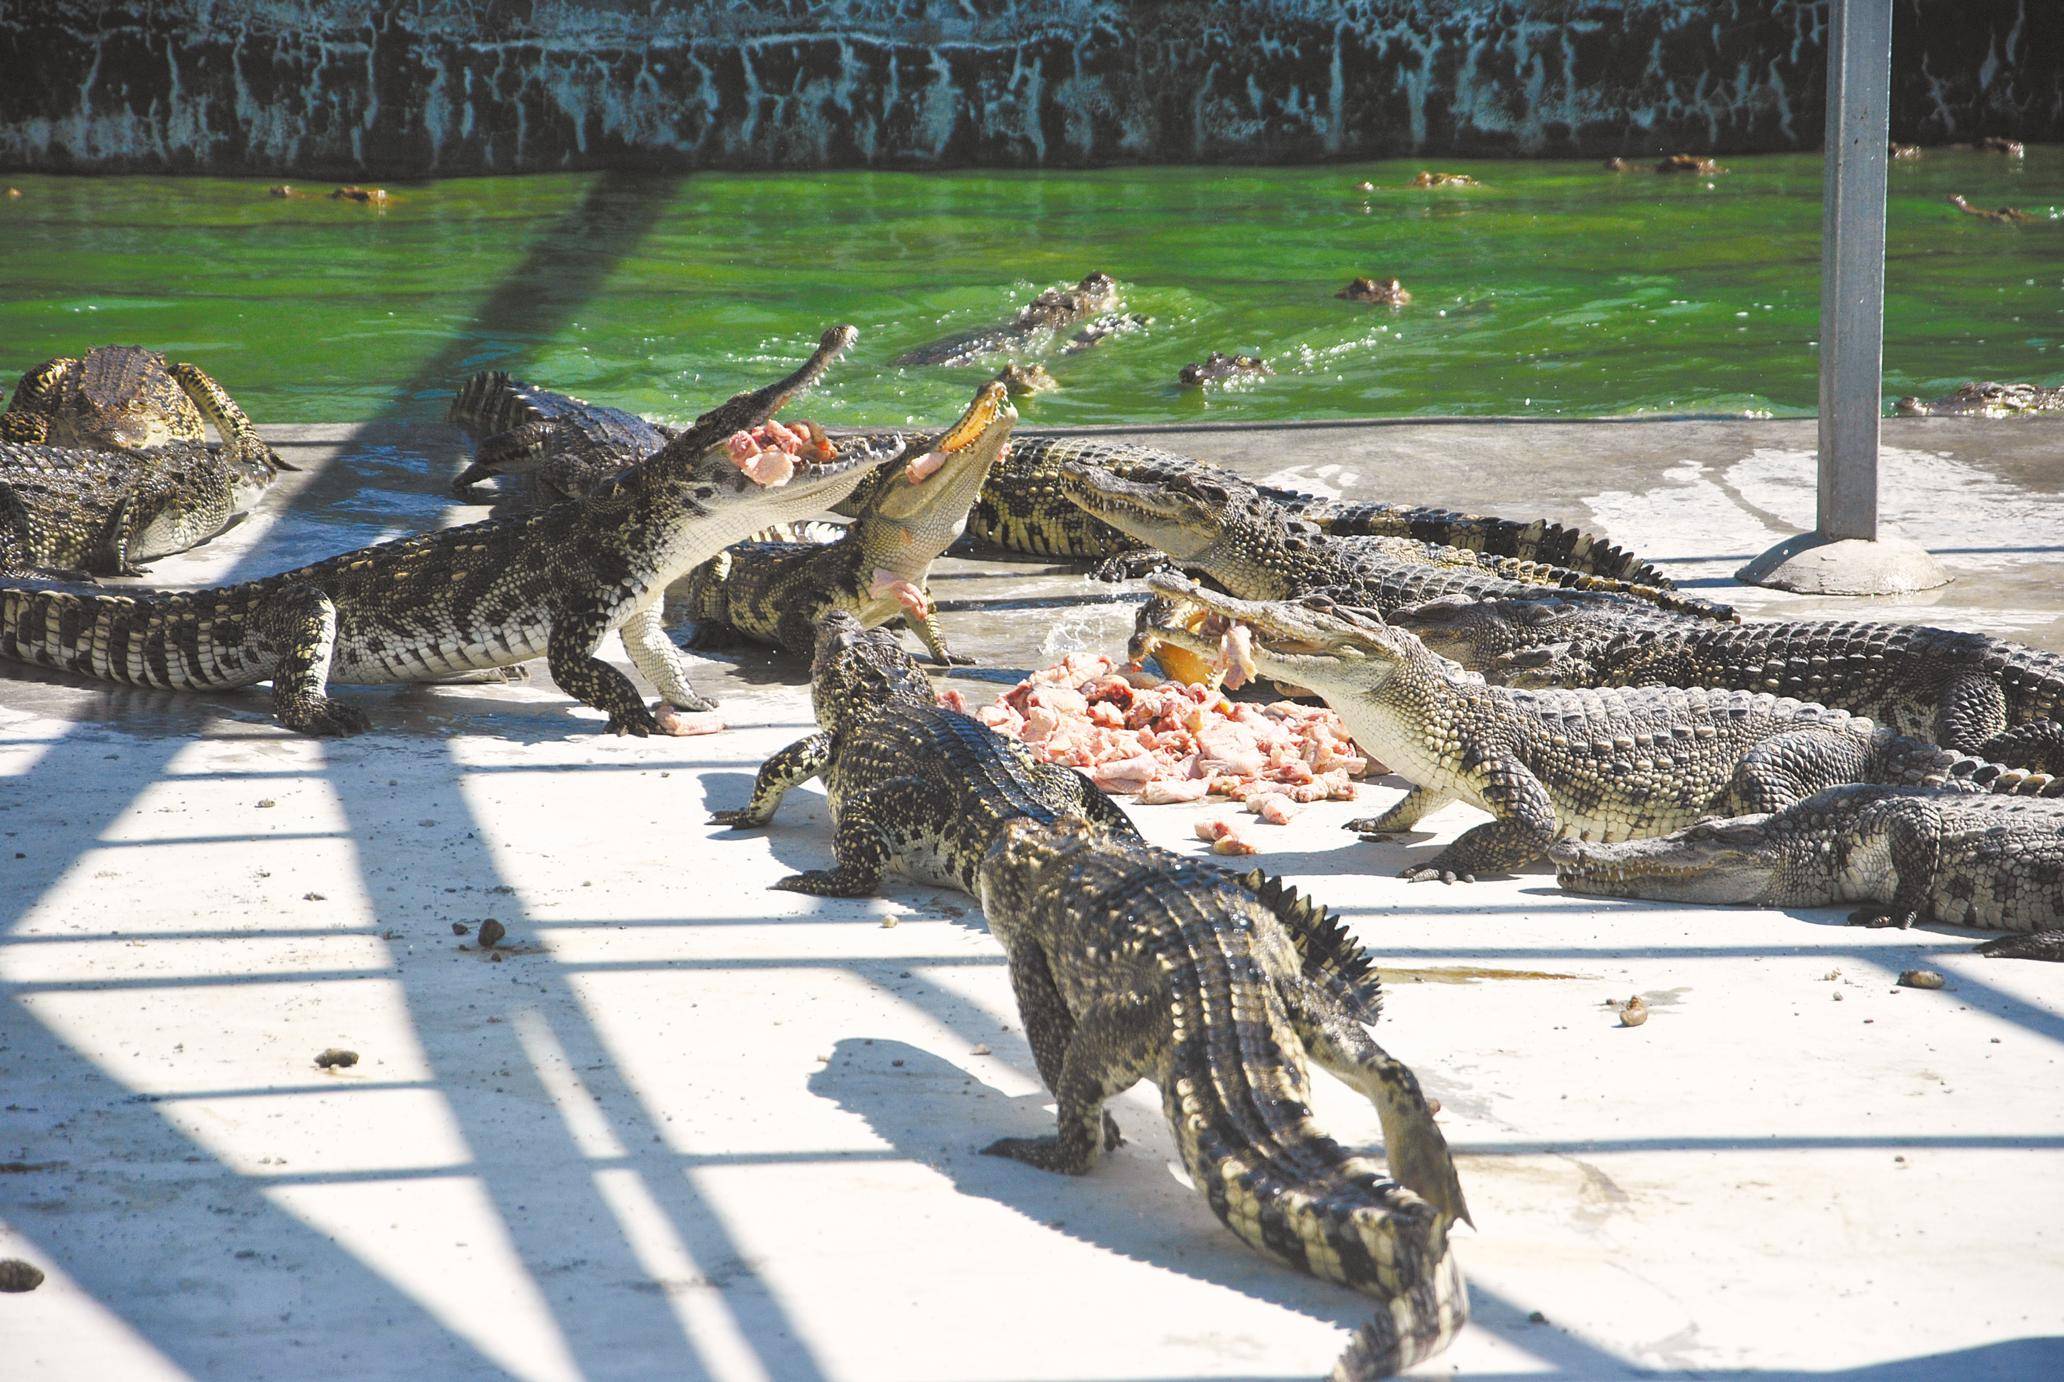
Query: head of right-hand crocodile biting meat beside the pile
[{"x": 1336, "y": 651}]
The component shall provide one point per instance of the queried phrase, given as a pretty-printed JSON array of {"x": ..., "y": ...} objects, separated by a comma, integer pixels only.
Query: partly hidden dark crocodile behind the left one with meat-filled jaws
[{"x": 565, "y": 445}]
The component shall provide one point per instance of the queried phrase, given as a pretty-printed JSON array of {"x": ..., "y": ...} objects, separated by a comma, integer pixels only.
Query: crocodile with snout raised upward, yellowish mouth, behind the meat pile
[{"x": 775, "y": 593}]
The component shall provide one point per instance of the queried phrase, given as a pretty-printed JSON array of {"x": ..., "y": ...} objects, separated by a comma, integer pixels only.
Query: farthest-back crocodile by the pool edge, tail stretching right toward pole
[{"x": 1025, "y": 511}]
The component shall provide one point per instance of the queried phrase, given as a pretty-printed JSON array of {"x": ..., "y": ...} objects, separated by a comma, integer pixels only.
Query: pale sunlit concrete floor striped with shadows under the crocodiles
[{"x": 690, "y": 1127}]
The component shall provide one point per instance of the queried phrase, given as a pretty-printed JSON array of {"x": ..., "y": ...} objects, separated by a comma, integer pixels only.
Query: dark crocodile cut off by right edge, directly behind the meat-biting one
[{"x": 1966, "y": 692}]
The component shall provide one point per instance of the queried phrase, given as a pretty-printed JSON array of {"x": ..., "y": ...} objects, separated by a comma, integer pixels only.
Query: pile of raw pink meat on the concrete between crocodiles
[{"x": 1178, "y": 744}]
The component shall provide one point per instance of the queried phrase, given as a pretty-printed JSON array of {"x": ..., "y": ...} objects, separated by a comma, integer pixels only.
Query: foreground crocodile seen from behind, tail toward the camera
[{"x": 1134, "y": 964}]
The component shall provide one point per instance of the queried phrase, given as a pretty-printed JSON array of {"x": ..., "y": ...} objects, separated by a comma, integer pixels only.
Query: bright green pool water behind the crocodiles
[{"x": 1553, "y": 290}]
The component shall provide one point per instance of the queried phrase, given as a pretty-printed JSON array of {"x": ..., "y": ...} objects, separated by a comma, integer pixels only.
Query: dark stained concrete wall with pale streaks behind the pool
[{"x": 515, "y": 86}]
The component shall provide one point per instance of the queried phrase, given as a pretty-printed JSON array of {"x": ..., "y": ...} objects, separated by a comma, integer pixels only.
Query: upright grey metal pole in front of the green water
[{"x": 1852, "y": 265}]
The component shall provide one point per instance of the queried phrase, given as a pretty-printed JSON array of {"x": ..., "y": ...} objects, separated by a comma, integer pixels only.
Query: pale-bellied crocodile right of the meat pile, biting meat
[{"x": 1597, "y": 764}]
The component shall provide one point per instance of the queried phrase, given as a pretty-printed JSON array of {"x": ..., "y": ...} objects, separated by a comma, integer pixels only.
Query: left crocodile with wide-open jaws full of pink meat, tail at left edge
[{"x": 488, "y": 595}]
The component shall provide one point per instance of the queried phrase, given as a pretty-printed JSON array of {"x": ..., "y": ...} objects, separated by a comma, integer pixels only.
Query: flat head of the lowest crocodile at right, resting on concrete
[{"x": 1710, "y": 863}]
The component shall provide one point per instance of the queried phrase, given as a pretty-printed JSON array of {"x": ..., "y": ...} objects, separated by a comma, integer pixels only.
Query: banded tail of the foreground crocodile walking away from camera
[{"x": 1235, "y": 1096}]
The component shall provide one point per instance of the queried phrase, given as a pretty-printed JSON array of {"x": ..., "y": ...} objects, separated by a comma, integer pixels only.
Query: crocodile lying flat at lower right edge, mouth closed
[{"x": 1908, "y": 855}]
